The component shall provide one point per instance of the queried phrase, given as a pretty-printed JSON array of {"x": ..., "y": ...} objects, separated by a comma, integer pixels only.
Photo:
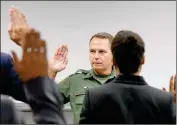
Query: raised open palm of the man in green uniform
[{"x": 59, "y": 61}]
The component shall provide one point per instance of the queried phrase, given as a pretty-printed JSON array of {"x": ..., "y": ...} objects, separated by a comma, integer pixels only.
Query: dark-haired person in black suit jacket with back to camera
[{"x": 128, "y": 99}]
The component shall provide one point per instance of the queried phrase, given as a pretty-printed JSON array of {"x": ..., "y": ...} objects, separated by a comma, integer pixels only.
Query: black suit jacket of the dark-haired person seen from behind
[{"x": 127, "y": 100}]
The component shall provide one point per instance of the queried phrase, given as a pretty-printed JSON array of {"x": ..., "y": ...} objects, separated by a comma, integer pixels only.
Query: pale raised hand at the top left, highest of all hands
[{"x": 18, "y": 24}]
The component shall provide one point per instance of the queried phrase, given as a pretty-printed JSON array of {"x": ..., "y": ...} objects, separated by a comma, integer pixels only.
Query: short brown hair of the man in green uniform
[{"x": 103, "y": 35}]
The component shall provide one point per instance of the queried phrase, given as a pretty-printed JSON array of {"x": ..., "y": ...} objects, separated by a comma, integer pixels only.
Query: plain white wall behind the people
[{"x": 73, "y": 23}]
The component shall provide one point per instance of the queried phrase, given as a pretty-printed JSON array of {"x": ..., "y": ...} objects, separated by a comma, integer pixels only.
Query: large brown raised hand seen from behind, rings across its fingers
[{"x": 34, "y": 60}]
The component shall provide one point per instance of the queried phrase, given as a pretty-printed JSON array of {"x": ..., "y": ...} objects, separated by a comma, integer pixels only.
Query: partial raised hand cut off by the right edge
[{"x": 172, "y": 86}]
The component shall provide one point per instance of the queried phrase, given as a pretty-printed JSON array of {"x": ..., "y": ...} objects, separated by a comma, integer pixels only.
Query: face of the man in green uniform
[{"x": 100, "y": 54}]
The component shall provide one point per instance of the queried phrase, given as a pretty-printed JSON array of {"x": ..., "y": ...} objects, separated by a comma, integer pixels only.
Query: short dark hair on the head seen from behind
[{"x": 128, "y": 49}]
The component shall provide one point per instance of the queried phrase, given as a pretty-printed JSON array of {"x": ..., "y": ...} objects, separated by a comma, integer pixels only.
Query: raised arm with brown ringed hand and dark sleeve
[{"x": 40, "y": 91}]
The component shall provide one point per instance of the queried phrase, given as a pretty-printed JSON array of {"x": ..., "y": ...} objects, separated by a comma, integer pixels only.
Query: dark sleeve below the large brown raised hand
[{"x": 45, "y": 101}]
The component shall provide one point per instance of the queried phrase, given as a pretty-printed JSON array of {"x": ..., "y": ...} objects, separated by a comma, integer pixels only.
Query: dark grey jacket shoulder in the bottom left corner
[{"x": 9, "y": 113}]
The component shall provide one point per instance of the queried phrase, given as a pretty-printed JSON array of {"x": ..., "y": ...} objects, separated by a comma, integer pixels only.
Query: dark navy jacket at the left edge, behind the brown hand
[{"x": 9, "y": 80}]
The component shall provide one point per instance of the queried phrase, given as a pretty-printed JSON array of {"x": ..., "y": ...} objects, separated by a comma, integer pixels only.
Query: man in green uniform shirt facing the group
[{"x": 73, "y": 87}]
